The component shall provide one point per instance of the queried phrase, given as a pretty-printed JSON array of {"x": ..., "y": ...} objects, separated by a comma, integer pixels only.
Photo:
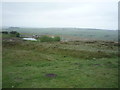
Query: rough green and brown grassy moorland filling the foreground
[{"x": 76, "y": 64}]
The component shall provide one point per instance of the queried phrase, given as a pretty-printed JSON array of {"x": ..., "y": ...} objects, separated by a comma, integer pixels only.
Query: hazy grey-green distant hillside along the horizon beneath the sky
[{"x": 72, "y": 33}]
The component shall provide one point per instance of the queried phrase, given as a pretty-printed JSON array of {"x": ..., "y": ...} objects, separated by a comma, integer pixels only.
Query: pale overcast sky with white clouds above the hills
[{"x": 101, "y": 14}]
